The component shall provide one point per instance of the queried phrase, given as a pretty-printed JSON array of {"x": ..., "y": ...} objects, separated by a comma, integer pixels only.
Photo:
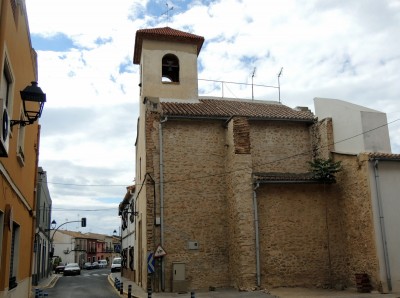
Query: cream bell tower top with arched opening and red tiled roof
[{"x": 168, "y": 63}]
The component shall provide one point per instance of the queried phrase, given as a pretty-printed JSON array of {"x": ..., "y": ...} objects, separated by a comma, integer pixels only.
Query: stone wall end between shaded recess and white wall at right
[{"x": 357, "y": 219}]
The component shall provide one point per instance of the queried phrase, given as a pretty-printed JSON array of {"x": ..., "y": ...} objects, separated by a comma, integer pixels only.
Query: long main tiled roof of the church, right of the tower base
[{"x": 220, "y": 108}]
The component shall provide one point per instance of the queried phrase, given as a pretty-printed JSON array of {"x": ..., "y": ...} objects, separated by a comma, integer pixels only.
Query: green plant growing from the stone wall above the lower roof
[{"x": 325, "y": 169}]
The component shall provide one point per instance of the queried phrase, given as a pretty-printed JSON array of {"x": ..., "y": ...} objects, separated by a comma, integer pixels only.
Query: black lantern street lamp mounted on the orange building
[{"x": 33, "y": 100}]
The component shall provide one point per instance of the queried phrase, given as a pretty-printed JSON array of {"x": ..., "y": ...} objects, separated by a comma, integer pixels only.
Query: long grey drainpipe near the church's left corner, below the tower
[{"x": 162, "y": 201}]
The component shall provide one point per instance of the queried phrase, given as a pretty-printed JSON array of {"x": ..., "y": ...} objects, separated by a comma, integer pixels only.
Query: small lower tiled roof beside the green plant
[{"x": 285, "y": 178}]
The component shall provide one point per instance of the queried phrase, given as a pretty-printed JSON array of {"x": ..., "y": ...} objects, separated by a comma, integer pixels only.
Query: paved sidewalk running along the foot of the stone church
[{"x": 138, "y": 292}]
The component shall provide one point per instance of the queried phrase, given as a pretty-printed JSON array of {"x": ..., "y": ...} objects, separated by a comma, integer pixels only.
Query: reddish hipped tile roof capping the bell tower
[{"x": 164, "y": 34}]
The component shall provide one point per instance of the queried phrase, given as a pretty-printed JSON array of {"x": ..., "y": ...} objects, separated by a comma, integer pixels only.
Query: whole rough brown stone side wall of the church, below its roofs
[{"x": 310, "y": 234}]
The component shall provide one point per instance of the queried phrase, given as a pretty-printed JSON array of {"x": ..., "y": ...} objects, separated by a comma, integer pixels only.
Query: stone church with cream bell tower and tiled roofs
[{"x": 224, "y": 196}]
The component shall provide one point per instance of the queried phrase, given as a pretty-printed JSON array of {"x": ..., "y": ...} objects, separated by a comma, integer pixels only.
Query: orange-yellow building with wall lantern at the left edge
[{"x": 19, "y": 149}]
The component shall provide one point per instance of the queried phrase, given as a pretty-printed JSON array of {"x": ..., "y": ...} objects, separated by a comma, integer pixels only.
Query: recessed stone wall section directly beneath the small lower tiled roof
[{"x": 298, "y": 235}]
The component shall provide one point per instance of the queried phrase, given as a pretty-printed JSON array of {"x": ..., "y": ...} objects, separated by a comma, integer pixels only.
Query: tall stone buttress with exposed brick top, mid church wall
[{"x": 242, "y": 254}]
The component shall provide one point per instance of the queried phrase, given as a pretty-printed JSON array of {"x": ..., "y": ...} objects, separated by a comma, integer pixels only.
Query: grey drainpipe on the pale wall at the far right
[{"x": 382, "y": 226}]
